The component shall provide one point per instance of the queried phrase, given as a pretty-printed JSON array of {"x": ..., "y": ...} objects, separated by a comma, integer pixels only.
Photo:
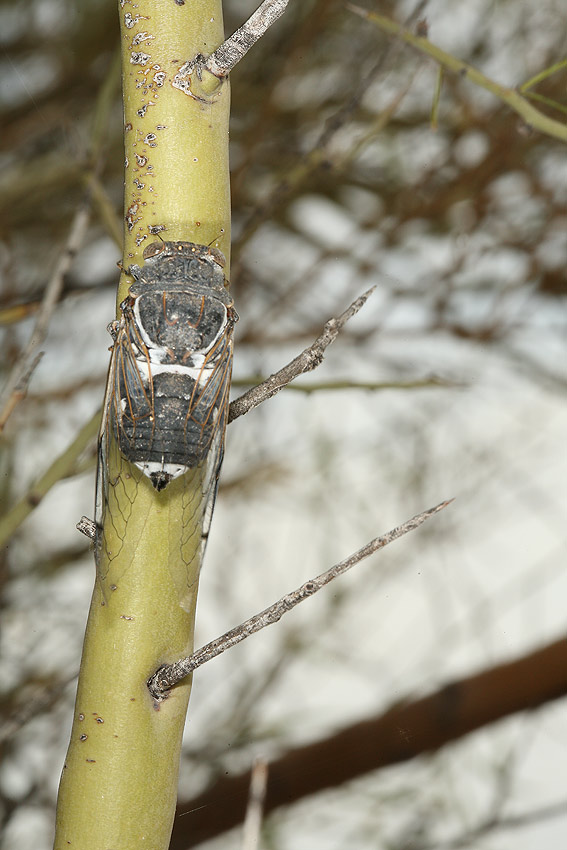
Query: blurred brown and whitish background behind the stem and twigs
[{"x": 449, "y": 383}]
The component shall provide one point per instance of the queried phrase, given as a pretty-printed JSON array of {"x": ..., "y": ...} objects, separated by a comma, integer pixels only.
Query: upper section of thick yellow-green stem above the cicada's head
[{"x": 176, "y": 165}]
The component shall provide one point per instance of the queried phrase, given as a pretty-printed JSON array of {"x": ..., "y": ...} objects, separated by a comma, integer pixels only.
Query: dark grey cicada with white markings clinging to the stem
[{"x": 167, "y": 395}]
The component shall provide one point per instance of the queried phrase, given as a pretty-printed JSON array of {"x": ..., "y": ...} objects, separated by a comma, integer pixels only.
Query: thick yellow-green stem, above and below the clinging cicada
[{"x": 119, "y": 783}]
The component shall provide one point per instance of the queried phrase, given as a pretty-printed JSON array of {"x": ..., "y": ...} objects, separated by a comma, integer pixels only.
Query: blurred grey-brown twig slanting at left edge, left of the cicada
[{"x": 16, "y": 385}]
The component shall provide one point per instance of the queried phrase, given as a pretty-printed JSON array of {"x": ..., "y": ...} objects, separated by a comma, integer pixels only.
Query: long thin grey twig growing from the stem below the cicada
[{"x": 169, "y": 675}]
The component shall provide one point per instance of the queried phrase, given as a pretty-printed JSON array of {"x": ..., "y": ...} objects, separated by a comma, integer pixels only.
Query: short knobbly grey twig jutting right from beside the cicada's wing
[{"x": 308, "y": 360}]
